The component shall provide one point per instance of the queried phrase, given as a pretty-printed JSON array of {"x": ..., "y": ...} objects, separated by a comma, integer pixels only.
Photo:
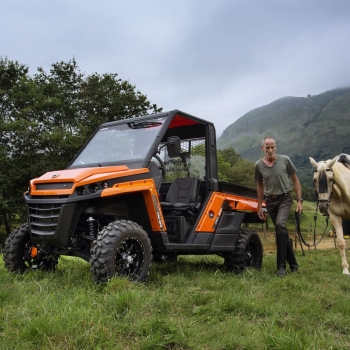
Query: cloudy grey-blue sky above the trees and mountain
[{"x": 215, "y": 59}]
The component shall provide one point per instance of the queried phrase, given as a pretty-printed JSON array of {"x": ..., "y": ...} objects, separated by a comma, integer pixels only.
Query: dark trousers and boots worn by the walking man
[{"x": 279, "y": 209}]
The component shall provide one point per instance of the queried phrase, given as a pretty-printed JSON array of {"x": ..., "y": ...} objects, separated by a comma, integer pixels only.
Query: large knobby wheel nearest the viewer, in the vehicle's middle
[{"x": 121, "y": 249}]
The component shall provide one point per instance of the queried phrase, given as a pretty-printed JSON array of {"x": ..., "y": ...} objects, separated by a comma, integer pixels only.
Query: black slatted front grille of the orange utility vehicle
[{"x": 43, "y": 218}]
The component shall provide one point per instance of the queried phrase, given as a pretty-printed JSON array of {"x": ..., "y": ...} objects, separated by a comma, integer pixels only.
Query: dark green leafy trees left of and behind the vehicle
[{"x": 46, "y": 118}]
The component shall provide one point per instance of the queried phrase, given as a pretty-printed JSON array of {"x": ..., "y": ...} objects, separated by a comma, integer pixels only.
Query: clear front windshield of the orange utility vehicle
[{"x": 120, "y": 142}]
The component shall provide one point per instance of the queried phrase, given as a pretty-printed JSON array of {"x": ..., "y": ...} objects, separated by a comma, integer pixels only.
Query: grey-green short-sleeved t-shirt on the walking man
[{"x": 276, "y": 179}]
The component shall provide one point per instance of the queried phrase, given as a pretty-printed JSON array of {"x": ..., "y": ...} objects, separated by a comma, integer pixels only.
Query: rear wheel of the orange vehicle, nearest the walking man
[{"x": 248, "y": 252}]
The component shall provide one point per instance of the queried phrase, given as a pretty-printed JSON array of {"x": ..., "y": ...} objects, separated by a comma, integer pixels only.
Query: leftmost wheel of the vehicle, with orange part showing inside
[{"x": 20, "y": 255}]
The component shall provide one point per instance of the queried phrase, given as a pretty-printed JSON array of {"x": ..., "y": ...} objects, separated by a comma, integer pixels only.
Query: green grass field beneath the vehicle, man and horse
[{"x": 190, "y": 304}]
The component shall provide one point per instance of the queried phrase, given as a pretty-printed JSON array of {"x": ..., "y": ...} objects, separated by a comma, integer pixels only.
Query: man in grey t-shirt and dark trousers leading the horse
[{"x": 273, "y": 174}]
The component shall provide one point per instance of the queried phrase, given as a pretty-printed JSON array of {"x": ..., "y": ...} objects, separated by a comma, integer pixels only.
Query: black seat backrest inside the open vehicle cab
[{"x": 184, "y": 190}]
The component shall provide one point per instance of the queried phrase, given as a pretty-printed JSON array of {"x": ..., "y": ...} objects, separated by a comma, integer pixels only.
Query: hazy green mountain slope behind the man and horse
[{"x": 316, "y": 126}]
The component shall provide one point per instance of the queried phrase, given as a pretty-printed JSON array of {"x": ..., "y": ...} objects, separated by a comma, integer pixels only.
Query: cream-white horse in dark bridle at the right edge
[{"x": 332, "y": 184}]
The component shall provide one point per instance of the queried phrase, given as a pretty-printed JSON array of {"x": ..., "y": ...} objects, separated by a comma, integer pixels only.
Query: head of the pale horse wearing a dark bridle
[{"x": 323, "y": 182}]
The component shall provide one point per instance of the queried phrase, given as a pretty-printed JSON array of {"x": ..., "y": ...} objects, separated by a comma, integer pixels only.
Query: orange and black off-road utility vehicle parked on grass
[{"x": 140, "y": 189}]
